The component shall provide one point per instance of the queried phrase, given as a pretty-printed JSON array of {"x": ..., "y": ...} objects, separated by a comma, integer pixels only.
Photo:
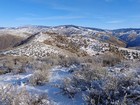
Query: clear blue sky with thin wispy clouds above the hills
[{"x": 106, "y": 14}]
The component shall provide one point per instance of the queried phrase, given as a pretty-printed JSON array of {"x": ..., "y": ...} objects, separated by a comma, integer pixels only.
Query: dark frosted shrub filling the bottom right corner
[{"x": 113, "y": 90}]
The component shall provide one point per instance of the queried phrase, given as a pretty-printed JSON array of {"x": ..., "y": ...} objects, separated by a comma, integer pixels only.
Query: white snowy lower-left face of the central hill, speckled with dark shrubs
[{"x": 35, "y": 49}]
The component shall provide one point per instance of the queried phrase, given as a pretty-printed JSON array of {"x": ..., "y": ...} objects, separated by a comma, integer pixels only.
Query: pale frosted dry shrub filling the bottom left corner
[{"x": 10, "y": 95}]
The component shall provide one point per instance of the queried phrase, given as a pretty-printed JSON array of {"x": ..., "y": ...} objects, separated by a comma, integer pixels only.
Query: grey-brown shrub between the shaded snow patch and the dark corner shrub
[{"x": 82, "y": 79}]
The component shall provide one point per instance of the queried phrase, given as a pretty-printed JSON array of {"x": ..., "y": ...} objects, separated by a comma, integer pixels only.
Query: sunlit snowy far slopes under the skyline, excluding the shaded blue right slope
[{"x": 69, "y": 30}]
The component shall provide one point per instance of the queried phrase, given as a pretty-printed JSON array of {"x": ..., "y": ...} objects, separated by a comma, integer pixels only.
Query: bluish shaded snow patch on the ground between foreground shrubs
[{"x": 54, "y": 93}]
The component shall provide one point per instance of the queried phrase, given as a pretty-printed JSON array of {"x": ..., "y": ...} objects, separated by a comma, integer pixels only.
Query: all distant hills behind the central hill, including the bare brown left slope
[{"x": 129, "y": 37}]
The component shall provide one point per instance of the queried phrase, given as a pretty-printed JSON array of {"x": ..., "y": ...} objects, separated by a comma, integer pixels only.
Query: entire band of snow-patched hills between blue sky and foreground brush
[{"x": 73, "y": 39}]
